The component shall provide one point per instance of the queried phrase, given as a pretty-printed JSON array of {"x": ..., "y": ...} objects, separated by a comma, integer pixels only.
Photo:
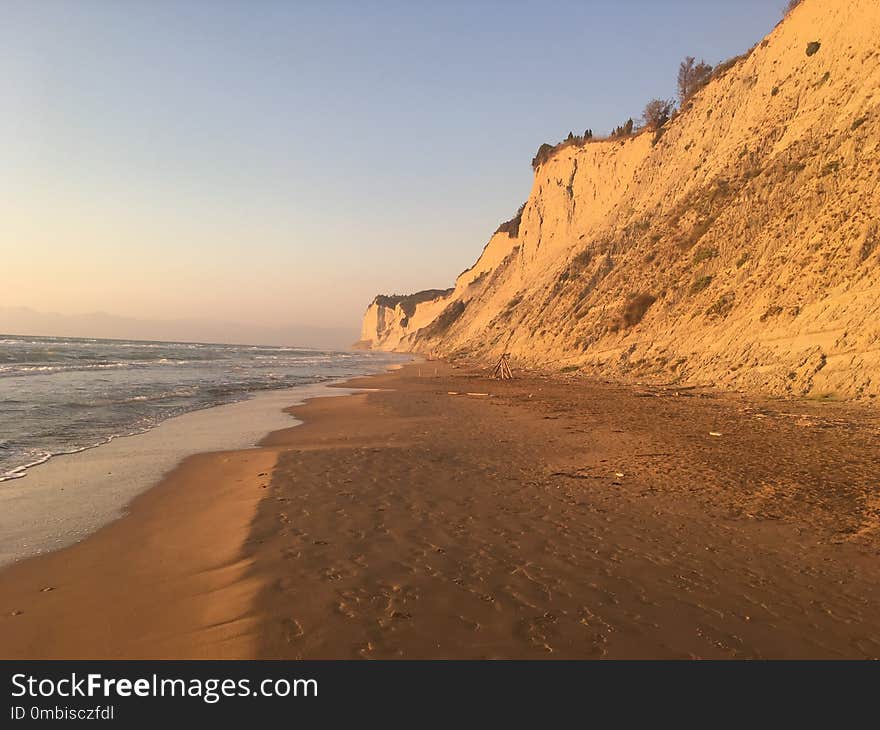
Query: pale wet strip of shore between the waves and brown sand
[{"x": 69, "y": 496}]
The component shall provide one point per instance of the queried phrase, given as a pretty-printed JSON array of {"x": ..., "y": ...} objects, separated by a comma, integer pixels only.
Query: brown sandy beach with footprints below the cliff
[{"x": 445, "y": 515}]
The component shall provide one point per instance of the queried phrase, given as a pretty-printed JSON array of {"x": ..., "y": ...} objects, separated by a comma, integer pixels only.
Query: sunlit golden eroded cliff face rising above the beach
[{"x": 741, "y": 249}]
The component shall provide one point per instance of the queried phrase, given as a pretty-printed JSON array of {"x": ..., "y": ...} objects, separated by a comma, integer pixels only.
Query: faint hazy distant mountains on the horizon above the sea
[{"x": 25, "y": 321}]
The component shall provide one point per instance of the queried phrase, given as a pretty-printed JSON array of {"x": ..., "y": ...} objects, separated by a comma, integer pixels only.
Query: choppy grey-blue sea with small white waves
[{"x": 61, "y": 395}]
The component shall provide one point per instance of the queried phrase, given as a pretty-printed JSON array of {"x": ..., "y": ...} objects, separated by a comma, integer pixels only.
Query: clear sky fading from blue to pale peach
[{"x": 278, "y": 163}]
